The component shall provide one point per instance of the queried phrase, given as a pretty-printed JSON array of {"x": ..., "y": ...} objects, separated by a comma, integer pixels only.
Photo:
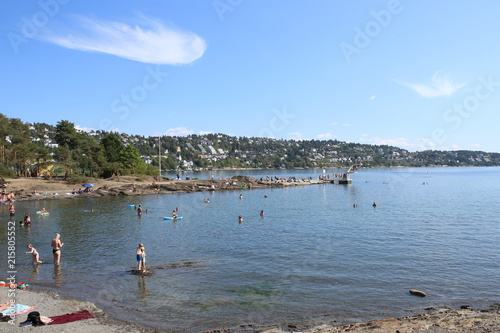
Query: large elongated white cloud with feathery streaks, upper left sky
[{"x": 148, "y": 40}]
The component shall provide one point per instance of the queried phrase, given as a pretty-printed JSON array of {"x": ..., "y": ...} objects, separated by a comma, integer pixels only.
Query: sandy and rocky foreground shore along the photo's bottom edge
[{"x": 432, "y": 320}]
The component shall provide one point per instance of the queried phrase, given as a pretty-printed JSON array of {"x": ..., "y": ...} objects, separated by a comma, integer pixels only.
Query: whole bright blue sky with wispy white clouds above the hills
[{"x": 414, "y": 74}]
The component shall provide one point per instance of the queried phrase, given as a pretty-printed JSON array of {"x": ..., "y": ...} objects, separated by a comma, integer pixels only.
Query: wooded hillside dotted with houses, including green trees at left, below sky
[{"x": 27, "y": 146}]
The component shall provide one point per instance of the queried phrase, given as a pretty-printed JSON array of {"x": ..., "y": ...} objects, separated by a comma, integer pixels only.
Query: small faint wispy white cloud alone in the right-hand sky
[{"x": 441, "y": 85}]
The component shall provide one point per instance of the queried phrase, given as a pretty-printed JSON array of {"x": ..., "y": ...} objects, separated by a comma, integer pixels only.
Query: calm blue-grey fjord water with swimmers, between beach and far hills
[{"x": 312, "y": 254}]
